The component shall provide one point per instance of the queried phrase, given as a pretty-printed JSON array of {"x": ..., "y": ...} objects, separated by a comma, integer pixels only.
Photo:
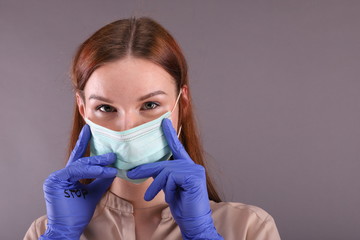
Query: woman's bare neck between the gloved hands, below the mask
[{"x": 134, "y": 193}]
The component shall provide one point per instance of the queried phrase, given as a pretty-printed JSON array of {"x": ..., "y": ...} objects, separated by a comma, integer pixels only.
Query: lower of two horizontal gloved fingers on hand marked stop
[{"x": 74, "y": 173}]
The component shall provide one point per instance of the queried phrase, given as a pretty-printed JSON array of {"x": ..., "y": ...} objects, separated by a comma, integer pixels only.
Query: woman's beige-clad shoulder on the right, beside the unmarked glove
[{"x": 243, "y": 220}]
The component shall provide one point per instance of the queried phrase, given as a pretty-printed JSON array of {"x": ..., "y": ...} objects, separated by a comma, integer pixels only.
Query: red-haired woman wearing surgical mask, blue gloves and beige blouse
[{"x": 133, "y": 106}]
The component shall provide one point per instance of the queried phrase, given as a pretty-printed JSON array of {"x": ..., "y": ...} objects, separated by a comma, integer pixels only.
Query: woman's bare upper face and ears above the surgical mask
[{"x": 129, "y": 92}]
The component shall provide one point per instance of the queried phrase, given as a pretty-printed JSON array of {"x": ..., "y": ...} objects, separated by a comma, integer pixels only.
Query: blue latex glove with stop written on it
[{"x": 69, "y": 204}]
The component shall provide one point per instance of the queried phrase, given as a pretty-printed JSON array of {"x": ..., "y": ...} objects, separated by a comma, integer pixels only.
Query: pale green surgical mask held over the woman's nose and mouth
[{"x": 143, "y": 144}]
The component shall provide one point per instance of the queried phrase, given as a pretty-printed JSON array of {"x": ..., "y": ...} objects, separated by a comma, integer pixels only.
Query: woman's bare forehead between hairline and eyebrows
[{"x": 131, "y": 77}]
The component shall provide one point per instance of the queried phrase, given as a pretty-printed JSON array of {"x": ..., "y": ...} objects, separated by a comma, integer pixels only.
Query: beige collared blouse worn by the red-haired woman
[{"x": 114, "y": 219}]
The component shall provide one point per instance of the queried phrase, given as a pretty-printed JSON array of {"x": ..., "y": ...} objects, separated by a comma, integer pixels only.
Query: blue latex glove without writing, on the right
[{"x": 184, "y": 185}]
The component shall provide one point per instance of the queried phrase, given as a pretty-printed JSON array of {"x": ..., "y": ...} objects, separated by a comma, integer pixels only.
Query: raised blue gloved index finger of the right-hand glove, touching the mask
[{"x": 175, "y": 145}]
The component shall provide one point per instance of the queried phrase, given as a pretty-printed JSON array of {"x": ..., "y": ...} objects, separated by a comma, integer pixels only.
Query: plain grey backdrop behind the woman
[{"x": 275, "y": 86}]
